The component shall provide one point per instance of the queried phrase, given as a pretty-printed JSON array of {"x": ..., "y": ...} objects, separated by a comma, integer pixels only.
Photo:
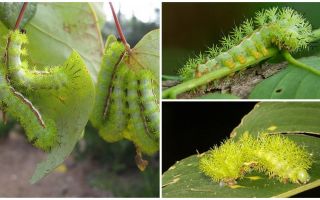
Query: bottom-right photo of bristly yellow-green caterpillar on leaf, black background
[{"x": 240, "y": 149}]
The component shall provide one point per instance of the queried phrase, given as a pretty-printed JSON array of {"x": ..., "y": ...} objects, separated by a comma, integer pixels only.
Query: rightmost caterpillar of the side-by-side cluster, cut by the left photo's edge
[{"x": 149, "y": 100}]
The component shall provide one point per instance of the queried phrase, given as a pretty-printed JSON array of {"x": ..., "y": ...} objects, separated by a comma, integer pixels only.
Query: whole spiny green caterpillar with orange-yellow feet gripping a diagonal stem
[{"x": 280, "y": 28}]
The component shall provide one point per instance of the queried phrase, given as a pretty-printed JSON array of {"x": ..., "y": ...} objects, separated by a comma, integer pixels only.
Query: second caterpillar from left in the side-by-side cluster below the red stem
[{"x": 116, "y": 116}]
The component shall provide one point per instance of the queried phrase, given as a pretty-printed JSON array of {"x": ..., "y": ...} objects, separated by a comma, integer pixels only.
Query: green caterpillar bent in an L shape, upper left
[{"x": 24, "y": 78}]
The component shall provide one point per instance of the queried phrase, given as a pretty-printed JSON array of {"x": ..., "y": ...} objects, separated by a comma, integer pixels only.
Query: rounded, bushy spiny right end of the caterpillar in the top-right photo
[{"x": 288, "y": 29}]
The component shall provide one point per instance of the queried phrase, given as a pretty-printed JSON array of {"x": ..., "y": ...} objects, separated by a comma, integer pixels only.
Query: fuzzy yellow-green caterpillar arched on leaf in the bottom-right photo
[{"x": 275, "y": 155}]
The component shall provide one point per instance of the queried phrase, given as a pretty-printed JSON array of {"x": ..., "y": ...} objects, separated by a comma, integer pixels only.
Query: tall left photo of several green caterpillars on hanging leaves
[{"x": 80, "y": 99}]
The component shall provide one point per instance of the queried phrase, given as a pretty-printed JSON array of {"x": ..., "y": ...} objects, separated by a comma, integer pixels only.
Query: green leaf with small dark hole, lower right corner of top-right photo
[{"x": 291, "y": 83}]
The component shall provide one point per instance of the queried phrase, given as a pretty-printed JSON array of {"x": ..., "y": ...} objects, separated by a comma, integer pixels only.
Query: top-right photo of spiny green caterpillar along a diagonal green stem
[{"x": 243, "y": 50}]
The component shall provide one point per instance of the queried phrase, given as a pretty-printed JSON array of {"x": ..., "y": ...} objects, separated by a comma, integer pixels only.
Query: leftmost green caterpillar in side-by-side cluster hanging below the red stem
[{"x": 113, "y": 54}]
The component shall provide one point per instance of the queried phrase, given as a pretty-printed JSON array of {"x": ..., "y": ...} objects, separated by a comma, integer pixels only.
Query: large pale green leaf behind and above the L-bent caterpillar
[{"x": 59, "y": 28}]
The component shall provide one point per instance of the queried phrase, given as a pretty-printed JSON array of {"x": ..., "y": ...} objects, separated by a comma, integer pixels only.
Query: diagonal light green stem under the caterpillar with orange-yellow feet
[{"x": 207, "y": 78}]
